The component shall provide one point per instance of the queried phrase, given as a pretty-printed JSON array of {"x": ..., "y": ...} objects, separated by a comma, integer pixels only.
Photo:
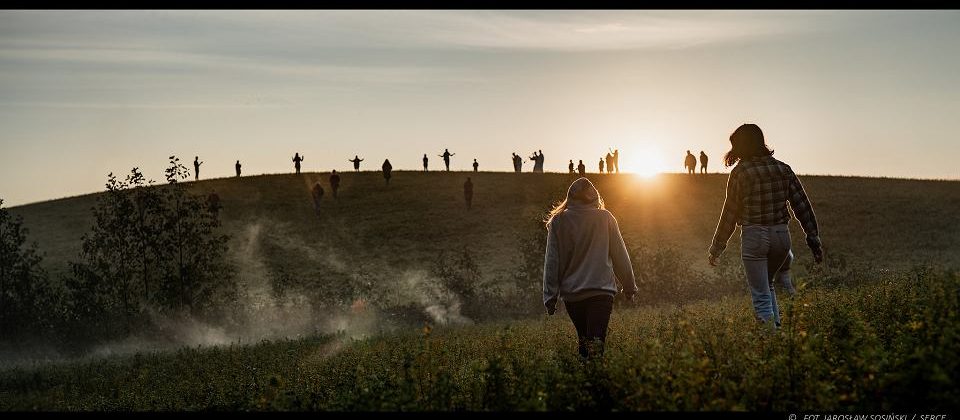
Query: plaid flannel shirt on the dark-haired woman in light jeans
[{"x": 758, "y": 190}]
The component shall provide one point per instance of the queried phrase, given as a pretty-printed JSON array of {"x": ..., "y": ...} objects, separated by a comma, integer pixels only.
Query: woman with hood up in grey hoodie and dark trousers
[{"x": 585, "y": 257}]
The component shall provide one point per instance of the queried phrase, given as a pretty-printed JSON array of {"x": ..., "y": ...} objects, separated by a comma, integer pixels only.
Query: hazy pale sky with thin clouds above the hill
[{"x": 872, "y": 93}]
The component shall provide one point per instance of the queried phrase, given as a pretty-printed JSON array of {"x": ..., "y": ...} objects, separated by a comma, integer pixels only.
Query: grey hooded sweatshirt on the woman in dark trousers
[{"x": 585, "y": 255}]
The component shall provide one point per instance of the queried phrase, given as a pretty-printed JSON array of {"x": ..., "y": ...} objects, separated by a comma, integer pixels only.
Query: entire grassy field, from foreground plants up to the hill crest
[{"x": 875, "y": 328}]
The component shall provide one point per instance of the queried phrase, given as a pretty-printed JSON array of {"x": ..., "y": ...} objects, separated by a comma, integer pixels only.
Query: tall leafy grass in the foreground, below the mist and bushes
[{"x": 883, "y": 342}]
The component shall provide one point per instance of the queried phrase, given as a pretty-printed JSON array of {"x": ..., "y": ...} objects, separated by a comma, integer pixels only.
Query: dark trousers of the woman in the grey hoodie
[{"x": 591, "y": 317}]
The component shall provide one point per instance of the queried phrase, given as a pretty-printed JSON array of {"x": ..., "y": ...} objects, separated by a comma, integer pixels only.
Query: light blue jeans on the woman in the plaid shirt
[{"x": 766, "y": 257}]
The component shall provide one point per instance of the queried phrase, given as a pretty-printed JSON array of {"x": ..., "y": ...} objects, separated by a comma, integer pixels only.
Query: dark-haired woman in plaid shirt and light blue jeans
[{"x": 758, "y": 190}]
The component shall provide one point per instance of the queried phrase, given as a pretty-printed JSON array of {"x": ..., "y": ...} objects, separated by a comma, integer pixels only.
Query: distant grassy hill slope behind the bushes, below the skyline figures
[{"x": 380, "y": 230}]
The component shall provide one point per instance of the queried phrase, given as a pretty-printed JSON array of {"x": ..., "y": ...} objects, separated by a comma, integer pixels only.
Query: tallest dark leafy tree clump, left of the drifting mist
[{"x": 150, "y": 249}]
